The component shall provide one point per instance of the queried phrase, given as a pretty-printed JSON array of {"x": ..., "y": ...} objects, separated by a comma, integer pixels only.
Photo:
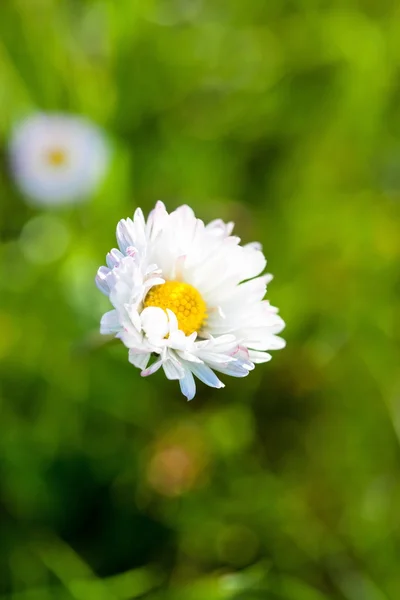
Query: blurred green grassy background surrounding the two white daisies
[{"x": 283, "y": 116}]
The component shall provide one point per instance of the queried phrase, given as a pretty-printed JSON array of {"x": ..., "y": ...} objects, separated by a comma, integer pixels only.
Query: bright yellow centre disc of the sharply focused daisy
[{"x": 183, "y": 299}]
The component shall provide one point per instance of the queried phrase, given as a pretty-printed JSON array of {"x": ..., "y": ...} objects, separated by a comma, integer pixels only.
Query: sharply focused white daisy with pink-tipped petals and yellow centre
[{"x": 188, "y": 298}]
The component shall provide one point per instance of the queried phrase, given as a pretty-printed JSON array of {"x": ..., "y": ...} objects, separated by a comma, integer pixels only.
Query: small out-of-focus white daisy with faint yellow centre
[{"x": 58, "y": 158}]
